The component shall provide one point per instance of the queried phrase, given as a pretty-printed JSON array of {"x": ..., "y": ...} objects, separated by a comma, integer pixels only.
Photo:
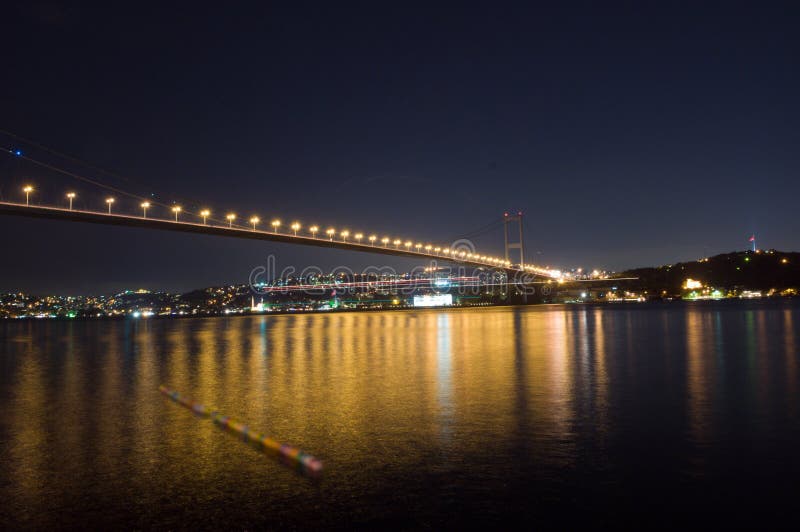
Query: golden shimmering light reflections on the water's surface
[{"x": 358, "y": 390}]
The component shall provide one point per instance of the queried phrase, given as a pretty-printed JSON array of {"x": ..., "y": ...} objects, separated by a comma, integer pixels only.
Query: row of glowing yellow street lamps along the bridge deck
[{"x": 314, "y": 229}]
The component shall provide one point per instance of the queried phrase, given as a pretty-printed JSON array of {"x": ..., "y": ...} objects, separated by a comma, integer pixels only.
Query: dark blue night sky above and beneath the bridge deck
[{"x": 630, "y": 134}]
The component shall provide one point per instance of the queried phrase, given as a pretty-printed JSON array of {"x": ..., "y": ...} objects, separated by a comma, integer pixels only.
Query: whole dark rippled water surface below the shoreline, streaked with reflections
[{"x": 422, "y": 418}]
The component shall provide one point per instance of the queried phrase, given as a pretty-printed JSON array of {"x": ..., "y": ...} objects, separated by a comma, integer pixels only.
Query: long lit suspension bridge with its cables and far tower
[{"x": 129, "y": 210}]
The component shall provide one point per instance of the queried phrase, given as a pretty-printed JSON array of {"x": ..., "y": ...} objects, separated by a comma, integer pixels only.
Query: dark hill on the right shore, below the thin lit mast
[{"x": 760, "y": 270}]
